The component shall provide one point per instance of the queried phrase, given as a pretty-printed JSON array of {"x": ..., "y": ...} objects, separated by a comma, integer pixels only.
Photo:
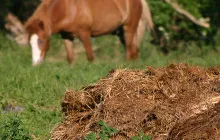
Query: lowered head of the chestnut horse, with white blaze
[{"x": 39, "y": 40}]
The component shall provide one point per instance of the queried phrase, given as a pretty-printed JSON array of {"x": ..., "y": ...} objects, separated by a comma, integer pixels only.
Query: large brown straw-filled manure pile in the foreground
[{"x": 174, "y": 102}]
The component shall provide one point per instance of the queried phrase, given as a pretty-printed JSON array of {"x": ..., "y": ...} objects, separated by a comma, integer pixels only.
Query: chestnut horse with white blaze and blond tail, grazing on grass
[{"x": 85, "y": 19}]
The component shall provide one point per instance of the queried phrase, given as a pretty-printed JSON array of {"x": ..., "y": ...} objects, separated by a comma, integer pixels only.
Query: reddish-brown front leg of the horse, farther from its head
[{"x": 84, "y": 36}]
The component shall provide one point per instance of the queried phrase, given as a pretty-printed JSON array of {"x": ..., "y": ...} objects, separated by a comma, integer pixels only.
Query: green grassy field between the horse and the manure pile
[{"x": 38, "y": 91}]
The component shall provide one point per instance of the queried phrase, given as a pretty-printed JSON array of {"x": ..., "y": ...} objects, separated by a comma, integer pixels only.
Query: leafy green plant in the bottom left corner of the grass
[{"x": 13, "y": 129}]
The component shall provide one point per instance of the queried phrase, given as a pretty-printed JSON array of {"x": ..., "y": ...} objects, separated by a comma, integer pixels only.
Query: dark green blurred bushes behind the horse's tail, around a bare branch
[{"x": 173, "y": 29}]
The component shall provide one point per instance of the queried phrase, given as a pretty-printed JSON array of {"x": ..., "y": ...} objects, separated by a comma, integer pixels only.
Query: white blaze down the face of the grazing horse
[{"x": 36, "y": 52}]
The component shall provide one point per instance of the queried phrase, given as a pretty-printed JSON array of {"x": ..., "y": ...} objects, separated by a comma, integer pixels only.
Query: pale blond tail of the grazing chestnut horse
[{"x": 145, "y": 22}]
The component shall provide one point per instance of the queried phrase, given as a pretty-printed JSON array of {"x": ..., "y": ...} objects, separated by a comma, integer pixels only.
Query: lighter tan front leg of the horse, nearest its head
[{"x": 69, "y": 50}]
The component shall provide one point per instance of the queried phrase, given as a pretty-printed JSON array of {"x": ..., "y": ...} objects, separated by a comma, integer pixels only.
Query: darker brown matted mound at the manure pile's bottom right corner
[{"x": 204, "y": 126}]
